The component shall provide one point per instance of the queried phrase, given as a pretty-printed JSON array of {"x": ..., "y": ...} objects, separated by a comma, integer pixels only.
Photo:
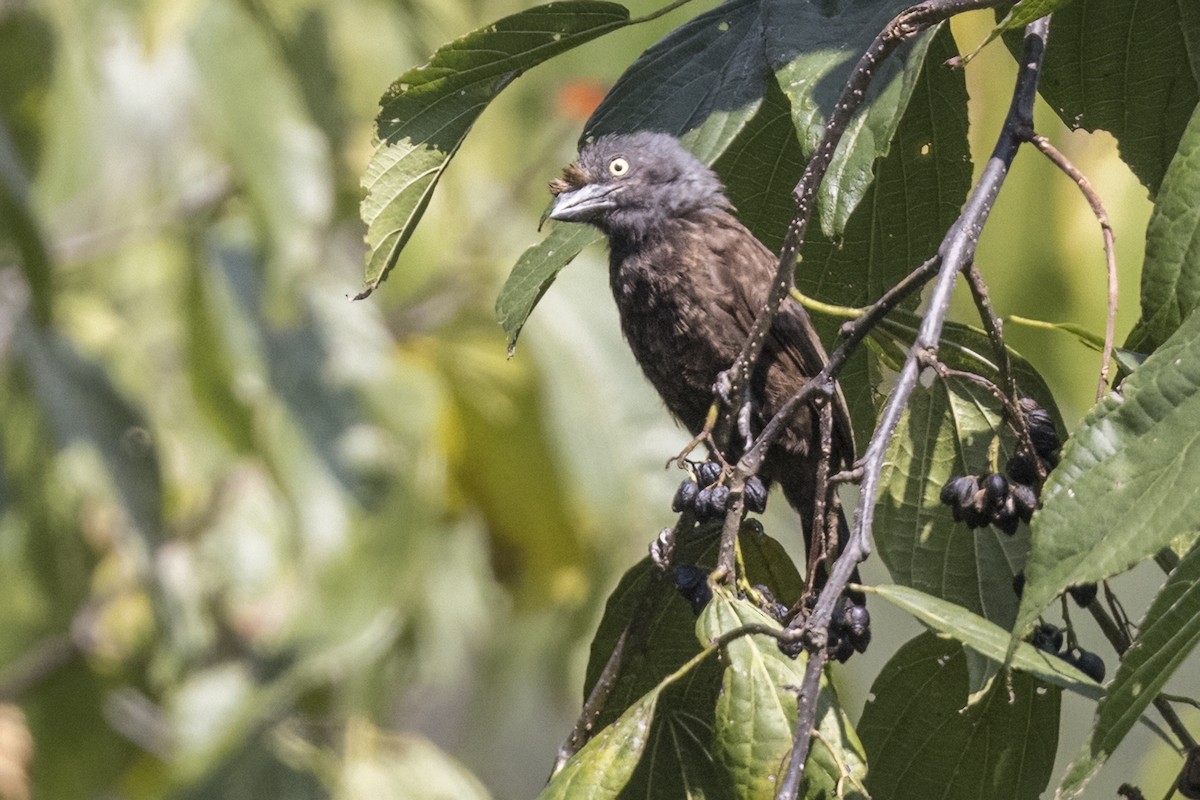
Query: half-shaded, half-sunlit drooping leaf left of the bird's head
[{"x": 428, "y": 112}]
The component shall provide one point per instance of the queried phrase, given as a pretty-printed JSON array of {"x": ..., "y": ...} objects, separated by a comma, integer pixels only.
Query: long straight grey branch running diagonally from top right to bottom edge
[{"x": 957, "y": 251}]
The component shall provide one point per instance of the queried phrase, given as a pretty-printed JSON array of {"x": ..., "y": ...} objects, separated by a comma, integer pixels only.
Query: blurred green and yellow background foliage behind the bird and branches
[{"x": 257, "y": 540}]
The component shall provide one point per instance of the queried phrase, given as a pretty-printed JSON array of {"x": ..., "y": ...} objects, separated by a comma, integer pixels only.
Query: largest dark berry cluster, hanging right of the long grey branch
[{"x": 992, "y": 500}]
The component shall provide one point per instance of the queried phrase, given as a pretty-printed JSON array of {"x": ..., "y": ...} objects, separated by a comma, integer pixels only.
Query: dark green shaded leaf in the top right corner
[{"x": 1131, "y": 69}]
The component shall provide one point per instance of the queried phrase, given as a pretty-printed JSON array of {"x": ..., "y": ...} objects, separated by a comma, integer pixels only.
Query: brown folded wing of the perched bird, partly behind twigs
[{"x": 793, "y": 340}]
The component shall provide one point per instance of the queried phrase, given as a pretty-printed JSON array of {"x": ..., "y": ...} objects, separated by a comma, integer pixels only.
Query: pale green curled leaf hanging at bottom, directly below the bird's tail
[{"x": 757, "y": 712}]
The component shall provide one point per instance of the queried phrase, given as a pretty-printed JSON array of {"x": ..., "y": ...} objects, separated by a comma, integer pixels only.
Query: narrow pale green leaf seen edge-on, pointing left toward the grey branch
[{"x": 986, "y": 639}]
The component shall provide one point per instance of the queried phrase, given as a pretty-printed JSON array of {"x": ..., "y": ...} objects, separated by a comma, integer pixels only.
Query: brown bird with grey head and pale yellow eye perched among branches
[{"x": 689, "y": 281}]
